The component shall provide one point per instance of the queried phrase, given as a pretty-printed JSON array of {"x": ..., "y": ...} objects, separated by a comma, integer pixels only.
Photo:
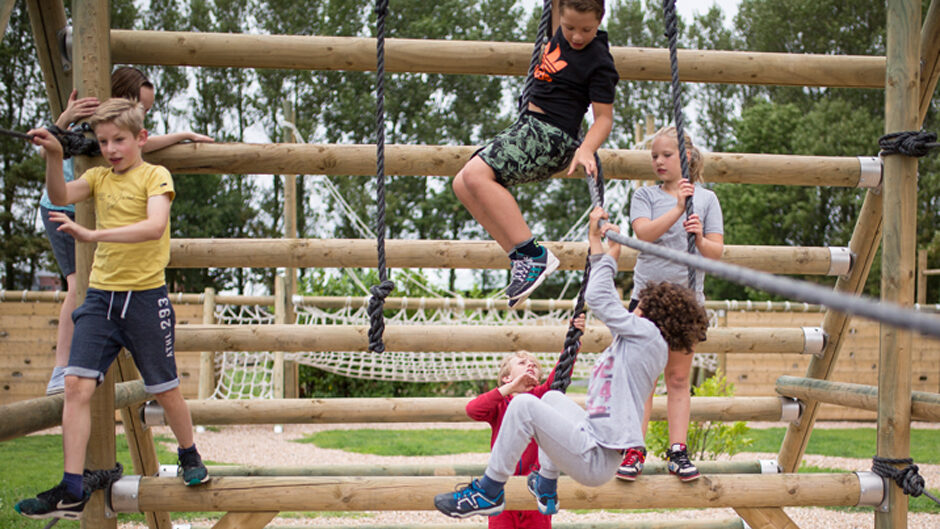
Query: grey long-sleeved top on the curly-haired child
[{"x": 626, "y": 372}]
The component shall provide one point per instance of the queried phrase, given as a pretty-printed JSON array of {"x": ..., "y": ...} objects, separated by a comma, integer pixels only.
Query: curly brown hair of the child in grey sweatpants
[{"x": 677, "y": 314}]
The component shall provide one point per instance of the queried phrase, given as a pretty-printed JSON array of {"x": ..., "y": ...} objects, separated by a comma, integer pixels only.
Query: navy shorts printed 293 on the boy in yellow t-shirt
[{"x": 142, "y": 321}]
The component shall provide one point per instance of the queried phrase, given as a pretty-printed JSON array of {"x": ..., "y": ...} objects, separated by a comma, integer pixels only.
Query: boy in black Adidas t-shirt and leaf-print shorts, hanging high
[{"x": 576, "y": 71}]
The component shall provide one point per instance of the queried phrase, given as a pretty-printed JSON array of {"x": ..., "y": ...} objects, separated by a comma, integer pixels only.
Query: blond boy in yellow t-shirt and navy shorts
[{"x": 126, "y": 304}]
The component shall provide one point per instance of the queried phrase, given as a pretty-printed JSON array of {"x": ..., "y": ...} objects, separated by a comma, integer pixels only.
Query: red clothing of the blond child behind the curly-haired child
[{"x": 491, "y": 407}]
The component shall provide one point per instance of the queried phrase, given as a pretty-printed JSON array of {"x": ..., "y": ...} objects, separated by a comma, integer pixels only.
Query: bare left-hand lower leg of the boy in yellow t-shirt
[{"x": 76, "y": 422}]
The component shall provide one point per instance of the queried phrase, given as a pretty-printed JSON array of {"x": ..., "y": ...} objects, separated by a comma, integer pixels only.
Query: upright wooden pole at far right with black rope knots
[{"x": 902, "y": 92}]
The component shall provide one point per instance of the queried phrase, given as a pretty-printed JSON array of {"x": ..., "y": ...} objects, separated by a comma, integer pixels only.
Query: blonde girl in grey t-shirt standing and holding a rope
[{"x": 657, "y": 214}]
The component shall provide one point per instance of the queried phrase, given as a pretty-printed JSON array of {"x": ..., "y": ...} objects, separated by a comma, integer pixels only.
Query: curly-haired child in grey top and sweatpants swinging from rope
[{"x": 588, "y": 444}]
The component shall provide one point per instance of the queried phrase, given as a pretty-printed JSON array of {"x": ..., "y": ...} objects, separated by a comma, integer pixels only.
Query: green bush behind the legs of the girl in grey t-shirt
[{"x": 709, "y": 438}]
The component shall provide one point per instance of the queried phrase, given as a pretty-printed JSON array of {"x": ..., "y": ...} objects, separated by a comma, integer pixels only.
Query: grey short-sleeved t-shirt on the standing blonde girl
[{"x": 652, "y": 202}]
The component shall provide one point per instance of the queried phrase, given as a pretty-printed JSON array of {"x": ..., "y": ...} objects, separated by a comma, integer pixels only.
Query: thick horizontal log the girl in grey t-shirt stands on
[{"x": 406, "y": 493}]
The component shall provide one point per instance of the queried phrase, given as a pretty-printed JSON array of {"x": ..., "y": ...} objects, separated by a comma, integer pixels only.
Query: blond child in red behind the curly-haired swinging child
[{"x": 519, "y": 372}]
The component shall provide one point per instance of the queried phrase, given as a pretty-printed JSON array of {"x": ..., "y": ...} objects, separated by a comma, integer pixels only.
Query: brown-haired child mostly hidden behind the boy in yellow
[{"x": 128, "y": 83}]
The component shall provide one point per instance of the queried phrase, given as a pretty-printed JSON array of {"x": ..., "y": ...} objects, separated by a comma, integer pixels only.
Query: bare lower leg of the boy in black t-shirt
[{"x": 491, "y": 204}]
